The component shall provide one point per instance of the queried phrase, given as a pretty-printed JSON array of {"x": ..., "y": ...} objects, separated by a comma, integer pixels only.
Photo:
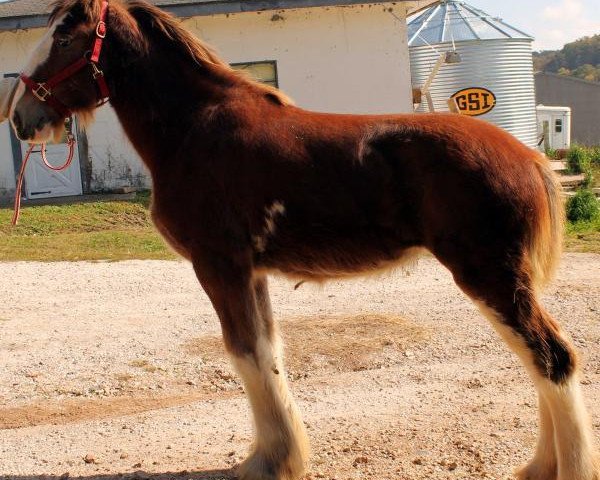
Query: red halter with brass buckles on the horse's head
[{"x": 43, "y": 90}]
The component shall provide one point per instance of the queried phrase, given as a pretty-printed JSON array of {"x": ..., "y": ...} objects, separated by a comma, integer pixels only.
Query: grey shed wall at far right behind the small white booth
[{"x": 583, "y": 98}]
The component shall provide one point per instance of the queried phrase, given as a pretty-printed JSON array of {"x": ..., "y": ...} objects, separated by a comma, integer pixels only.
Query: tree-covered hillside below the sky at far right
[{"x": 580, "y": 59}]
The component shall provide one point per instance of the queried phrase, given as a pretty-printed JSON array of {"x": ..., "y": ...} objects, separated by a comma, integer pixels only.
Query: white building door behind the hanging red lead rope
[{"x": 41, "y": 182}]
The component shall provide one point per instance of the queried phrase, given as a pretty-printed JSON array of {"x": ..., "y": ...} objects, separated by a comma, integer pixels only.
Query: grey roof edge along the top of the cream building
[{"x": 219, "y": 7}]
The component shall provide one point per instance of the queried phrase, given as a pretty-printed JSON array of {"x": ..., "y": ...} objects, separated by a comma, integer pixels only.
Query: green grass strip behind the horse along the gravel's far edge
[{"x": 123, "y": 230}]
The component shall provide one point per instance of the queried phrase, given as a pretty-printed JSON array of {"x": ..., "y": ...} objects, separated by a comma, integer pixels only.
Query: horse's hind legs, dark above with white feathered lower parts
[{"x": 565, "y": 449}]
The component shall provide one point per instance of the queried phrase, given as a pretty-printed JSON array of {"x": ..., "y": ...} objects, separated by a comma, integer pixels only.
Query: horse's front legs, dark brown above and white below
[{"x": 242, "y": 303}]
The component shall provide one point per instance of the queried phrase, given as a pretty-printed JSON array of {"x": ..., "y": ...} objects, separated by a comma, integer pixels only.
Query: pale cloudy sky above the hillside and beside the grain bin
[{"x": 552, "y": 22}]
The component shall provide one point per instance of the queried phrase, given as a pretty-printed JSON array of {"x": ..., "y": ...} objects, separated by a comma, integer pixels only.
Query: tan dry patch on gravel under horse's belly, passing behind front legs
[{"x": 343, "y": 343}]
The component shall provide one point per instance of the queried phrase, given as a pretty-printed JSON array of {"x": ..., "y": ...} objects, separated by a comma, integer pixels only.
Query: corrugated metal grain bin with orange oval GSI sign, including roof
[{"x": 494, "y": 57}]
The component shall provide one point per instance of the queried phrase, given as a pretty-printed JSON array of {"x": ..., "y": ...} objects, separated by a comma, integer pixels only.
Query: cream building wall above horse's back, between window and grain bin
[{"x": 347, "y": 60}]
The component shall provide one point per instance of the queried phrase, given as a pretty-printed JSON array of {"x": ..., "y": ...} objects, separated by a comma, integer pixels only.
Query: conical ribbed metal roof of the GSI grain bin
[{"x": 451, "y": 20}]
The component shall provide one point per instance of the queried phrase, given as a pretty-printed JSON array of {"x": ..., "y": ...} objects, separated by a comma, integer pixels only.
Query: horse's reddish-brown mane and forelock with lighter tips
[{"x": 170, "y": 28}]
